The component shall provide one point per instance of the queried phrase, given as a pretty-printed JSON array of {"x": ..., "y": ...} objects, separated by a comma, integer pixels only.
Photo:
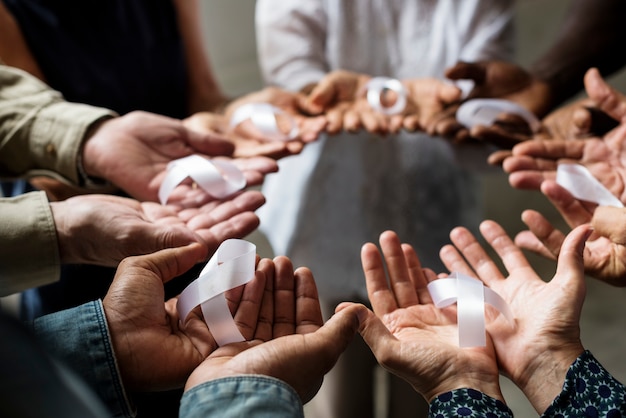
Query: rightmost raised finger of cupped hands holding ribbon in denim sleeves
[{"x": 307, "y": 304}]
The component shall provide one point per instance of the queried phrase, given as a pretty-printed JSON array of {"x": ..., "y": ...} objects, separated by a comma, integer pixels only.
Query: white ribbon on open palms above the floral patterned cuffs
[{"x": 470, "y": 296}]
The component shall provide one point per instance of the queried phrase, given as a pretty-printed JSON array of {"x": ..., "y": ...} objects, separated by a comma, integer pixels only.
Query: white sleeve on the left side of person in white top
[{"x": 291, "y": 42}]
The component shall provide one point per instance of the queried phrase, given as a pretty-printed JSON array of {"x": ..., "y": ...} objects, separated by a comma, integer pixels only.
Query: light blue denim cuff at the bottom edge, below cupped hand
[{"x": 241, "y": 396}]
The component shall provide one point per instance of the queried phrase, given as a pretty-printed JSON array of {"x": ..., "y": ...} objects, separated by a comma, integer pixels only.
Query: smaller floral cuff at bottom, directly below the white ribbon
[{"x": 467, "y": 403}]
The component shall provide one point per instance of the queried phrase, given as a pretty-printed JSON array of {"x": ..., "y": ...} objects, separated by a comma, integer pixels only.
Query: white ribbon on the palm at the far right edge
[{"x": 579, "y": 181}]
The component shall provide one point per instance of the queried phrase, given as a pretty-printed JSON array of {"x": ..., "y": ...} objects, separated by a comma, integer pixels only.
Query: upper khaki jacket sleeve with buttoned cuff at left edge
[{"x": 41, "y": 133}]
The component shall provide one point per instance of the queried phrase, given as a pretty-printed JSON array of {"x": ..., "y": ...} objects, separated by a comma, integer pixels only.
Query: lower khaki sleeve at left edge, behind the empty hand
[{"x": 29, "y": 250}]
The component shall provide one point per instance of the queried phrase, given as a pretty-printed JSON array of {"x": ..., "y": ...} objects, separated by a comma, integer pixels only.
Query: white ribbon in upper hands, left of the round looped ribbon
[{"x": 263, "y": 117}]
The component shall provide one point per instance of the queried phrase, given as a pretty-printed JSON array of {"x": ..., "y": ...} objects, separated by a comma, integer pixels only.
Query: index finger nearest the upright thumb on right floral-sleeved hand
[{"x": 511, "y": 255}]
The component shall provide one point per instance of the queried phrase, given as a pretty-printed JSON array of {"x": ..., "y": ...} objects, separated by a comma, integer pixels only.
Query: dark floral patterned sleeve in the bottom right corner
[{"x": 589, "y": 391}]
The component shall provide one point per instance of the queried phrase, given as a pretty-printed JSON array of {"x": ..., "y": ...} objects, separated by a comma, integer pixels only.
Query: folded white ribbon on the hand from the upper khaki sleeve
[{"x": 218, "y": 178}]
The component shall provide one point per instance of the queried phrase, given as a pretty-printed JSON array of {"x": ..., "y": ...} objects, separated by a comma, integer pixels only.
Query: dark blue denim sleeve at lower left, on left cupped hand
[{"x": 80, "y": 338}]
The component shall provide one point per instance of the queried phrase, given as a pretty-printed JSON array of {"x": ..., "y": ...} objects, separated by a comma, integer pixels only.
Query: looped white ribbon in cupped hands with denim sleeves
[{"x": 231, "y": 266}]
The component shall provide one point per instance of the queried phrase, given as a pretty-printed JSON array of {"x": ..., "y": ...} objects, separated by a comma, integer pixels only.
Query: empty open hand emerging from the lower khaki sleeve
[{"x": 86, "y": 224}]
